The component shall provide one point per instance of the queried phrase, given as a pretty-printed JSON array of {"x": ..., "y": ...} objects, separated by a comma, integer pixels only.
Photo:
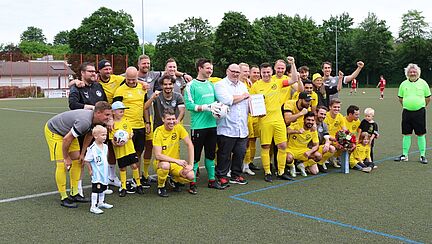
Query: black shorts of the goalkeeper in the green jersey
[{"x": 204, "y": 138}]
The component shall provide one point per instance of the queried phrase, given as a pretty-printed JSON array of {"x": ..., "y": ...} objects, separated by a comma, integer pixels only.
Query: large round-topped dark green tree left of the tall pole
[{"x": 106, "y": 32}]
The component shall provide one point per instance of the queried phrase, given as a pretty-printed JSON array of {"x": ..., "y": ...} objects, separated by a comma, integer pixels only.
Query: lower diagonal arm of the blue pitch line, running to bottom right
[{"x": 326, "y": 220}]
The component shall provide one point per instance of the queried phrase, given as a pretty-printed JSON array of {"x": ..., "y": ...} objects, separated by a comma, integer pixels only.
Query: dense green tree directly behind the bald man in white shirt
[{"x": 236, "y": 40}]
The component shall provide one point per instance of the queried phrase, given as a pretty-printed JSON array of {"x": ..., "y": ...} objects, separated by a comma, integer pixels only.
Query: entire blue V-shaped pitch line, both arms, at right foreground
[{"x": 238, "y": 197}]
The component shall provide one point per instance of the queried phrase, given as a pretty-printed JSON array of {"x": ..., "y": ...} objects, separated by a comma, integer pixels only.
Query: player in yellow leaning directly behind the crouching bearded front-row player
[{"x": 295, "y": 109}]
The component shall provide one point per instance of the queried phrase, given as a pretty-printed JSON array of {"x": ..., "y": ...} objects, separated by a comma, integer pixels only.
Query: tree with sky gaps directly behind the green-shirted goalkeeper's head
[{"x": 185, "y": 42}]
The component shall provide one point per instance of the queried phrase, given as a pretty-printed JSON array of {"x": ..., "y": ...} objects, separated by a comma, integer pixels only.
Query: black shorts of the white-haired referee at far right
[{"x": 414, "y": 120}]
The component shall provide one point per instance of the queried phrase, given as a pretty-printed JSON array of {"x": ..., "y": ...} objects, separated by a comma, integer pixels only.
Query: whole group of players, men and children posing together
[{"x": 299, "y": 127}]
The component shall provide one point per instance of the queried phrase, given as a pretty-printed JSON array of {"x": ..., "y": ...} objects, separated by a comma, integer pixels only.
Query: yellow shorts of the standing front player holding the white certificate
[{"x": 276, "y": 130}]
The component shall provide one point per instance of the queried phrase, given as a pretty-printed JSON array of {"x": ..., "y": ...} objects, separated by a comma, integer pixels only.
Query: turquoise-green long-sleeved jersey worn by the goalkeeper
[{"x": 199, "y": 92}]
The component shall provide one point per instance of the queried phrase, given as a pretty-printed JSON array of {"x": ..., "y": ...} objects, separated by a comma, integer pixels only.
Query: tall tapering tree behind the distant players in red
[{"x": 373, "y": 44}]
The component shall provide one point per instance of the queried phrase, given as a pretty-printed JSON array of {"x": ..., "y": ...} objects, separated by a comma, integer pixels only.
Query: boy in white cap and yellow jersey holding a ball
[{"x": 125, "y": 153}]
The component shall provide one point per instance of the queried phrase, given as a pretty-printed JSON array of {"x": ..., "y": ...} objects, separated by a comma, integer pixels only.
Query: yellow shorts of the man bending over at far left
[{"x": 55, "y": 143}]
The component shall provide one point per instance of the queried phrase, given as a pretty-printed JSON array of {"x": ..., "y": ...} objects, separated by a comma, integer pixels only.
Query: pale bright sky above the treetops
[{"x": 53, "y": 16}]
